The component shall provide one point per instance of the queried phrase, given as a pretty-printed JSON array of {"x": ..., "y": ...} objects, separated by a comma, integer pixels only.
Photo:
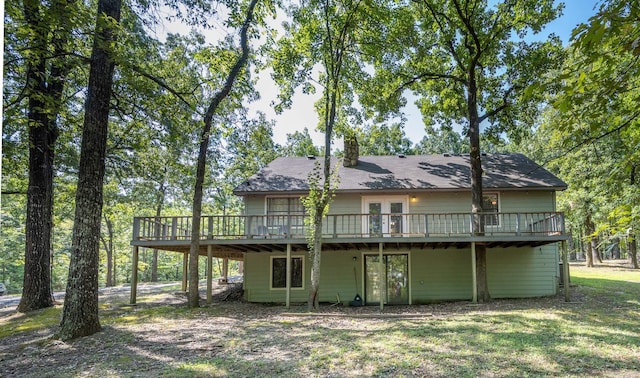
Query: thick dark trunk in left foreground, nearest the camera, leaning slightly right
[{"x": 80, "y": 312}]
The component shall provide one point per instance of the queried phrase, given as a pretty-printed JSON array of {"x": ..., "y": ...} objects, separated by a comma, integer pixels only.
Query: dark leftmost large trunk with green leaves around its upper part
[{"x": 45, "y": 80}]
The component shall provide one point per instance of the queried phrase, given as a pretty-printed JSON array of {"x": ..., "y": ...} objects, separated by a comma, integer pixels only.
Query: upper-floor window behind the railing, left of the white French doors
[{"x": 285, "y": 215}]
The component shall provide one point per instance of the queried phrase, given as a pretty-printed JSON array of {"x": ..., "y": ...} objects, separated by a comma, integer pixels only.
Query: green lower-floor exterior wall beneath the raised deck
[{"x": 434, "y": 275}]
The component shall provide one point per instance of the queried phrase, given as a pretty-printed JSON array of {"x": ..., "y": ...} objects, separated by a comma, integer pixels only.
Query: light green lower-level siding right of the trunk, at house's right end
[{"x": 522, "y": 272}]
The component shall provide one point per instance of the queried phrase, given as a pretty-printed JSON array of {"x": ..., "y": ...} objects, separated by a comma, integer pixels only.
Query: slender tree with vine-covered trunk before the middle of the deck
[{"x": 322, "y": 33}]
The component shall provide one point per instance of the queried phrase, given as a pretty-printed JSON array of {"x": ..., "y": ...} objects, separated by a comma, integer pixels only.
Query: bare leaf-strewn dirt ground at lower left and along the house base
[{"x": 159, "y": 344}]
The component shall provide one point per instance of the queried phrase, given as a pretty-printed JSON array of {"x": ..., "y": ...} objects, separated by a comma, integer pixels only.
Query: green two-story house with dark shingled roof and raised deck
[{"x": 399, "y": 230}]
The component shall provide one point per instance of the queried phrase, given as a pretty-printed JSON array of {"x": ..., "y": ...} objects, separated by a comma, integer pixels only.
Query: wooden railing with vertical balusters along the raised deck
[{"x": 542, "y": 224}]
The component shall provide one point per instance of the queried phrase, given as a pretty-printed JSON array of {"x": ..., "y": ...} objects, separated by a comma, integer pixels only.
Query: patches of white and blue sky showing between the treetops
[{"x": 302, "y": 113}]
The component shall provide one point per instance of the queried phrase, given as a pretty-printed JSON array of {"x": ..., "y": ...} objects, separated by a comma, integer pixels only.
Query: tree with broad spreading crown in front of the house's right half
[{"x": 470, "y": 65}]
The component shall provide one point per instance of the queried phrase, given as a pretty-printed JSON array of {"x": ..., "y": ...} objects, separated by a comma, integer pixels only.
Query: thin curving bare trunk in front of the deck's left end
[{"x": 194, "y": 295}]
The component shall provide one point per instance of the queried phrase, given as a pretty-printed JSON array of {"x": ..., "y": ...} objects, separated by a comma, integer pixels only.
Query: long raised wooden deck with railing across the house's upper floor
[{"x": 232, "y": 235}]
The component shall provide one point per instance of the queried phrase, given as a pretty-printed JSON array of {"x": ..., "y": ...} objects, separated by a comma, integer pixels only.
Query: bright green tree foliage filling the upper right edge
[{"x": 597, "y": 111}]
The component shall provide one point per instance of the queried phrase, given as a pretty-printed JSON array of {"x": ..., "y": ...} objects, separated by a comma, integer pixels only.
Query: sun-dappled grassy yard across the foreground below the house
[{"x": 597, "y": 334}]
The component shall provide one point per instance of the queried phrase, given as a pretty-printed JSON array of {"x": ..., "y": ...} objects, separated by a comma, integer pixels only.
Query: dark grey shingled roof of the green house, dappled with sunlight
[{"x": 405, "y": 173}]
